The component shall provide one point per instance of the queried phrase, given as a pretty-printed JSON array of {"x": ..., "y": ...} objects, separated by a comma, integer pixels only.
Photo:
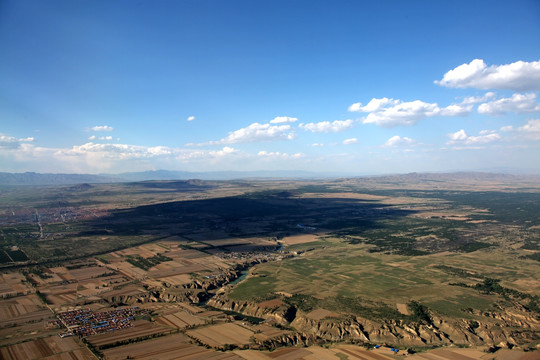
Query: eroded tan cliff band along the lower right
[{"x": 506, "y": 330}]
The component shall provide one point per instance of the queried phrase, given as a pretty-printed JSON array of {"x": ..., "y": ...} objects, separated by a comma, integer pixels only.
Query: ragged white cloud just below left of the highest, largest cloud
[{"x": 389, "y": 112}]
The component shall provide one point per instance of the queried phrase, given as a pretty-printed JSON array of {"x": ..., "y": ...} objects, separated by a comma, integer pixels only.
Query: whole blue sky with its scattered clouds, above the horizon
[{"x": 344, "y": 86}]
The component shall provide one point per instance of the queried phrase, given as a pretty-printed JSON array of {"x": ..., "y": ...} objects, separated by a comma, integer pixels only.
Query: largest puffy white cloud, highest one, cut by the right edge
[{"x": 520, "y": 75}]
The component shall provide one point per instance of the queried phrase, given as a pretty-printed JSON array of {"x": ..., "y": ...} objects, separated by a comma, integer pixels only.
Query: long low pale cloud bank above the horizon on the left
[{"x": 106, "y": 157}]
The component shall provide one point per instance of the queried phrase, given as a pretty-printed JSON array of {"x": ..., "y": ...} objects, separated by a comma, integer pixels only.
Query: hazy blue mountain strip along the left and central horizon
[{"x": 32, "y": 178}]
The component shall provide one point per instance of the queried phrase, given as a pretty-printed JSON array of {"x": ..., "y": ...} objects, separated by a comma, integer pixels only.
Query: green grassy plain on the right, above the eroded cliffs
[{"x": 367, "y": 266}]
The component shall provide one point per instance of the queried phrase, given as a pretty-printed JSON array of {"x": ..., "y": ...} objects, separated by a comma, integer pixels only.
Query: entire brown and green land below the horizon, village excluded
[{"x": 227, "y": 268}]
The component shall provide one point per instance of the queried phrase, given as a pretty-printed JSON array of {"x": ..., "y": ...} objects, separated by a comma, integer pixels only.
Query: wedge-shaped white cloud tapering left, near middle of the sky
[{"x": 257, "y": 132}]
